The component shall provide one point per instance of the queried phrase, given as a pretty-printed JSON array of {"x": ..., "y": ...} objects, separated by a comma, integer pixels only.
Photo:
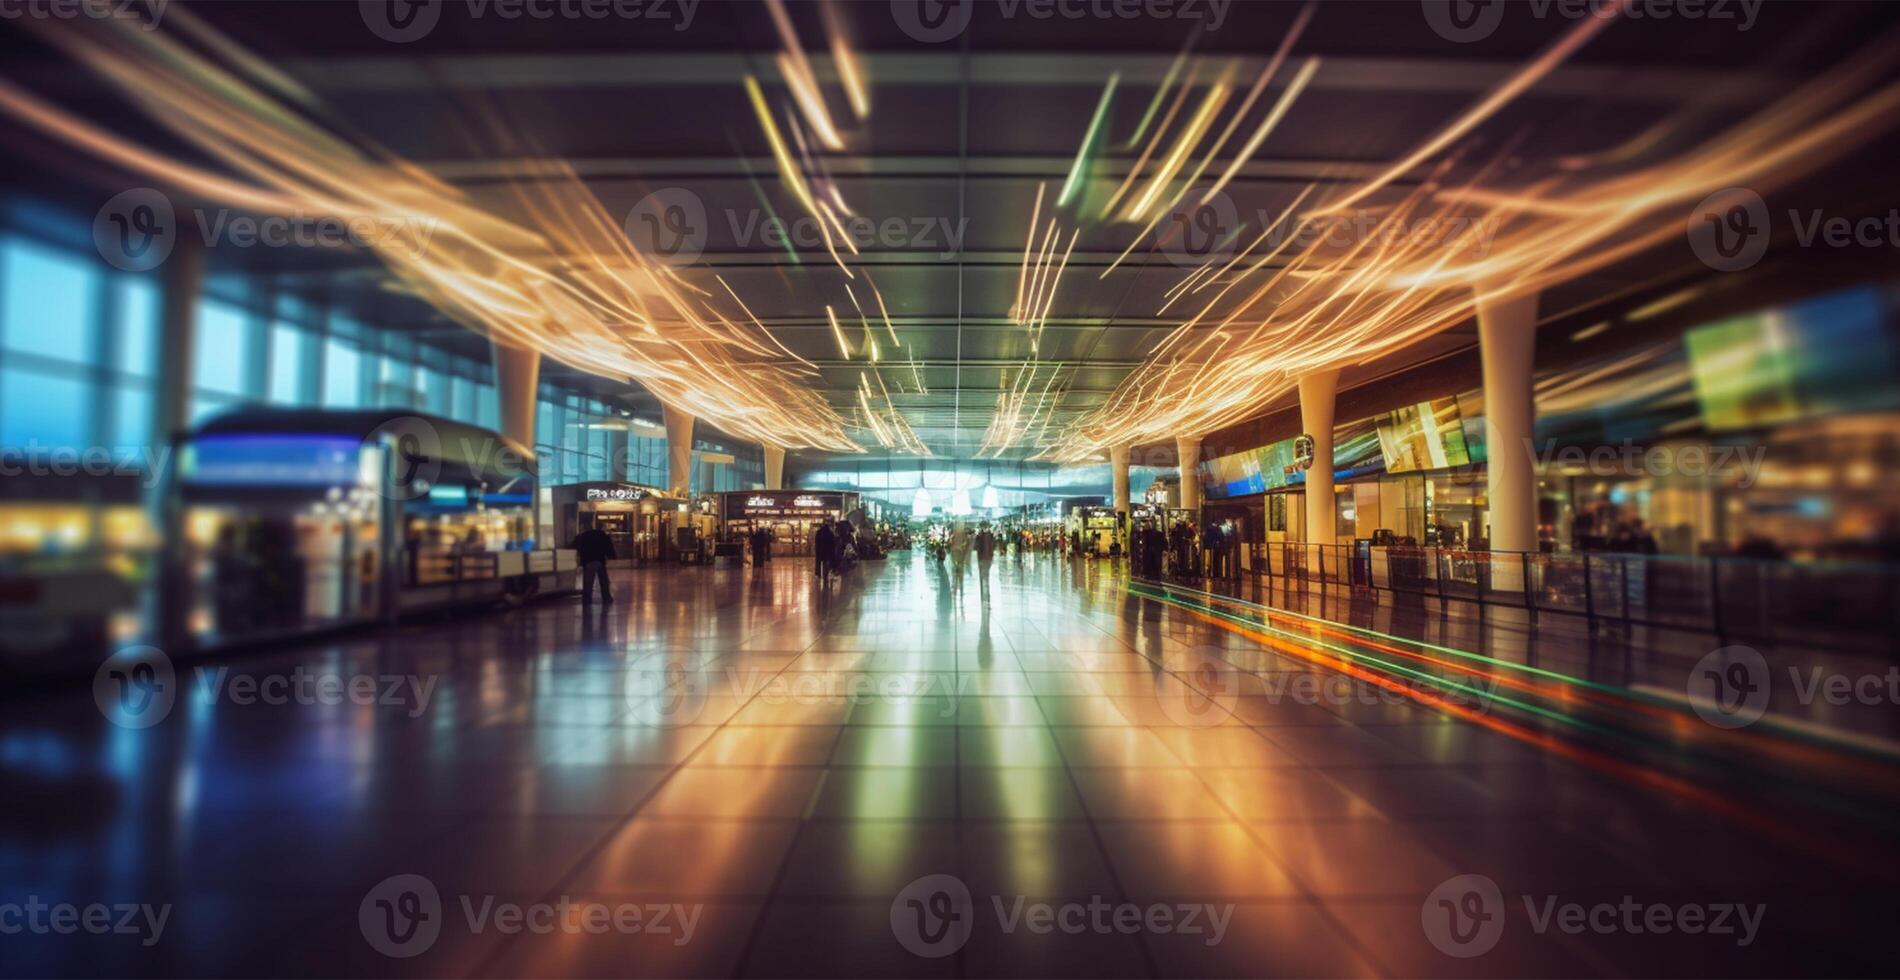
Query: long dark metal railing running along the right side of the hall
[{"x": 1823, "y": 605}]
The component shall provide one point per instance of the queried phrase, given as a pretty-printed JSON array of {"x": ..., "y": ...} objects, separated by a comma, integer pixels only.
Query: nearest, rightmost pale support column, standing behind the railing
[{"x": 1508, "y": 343}]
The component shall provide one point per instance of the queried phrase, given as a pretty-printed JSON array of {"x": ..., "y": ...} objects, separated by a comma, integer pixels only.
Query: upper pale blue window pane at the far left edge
[{"x": 50, "y": 301}]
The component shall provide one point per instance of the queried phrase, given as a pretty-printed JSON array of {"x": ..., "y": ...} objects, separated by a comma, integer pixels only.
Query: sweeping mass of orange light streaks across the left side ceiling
[{"x": 567, "y": 282}]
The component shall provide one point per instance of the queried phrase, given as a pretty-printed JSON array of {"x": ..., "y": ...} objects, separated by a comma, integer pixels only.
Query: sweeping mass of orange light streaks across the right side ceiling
[{"x": 1420, "y": 259}]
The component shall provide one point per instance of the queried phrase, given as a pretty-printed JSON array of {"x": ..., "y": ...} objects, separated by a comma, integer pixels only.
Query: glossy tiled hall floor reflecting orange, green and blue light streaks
[{"x": 736, "y": 772}]
